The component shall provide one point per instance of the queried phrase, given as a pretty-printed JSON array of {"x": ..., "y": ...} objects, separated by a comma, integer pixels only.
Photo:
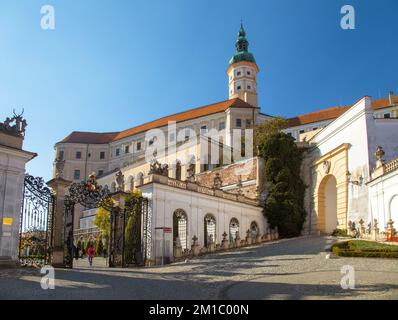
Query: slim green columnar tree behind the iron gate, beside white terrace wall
[{"x": 133, "y": 227}]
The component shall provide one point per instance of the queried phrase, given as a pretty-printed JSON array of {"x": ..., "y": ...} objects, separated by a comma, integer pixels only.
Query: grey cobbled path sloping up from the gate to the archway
[{"x": 287, "y": 269}]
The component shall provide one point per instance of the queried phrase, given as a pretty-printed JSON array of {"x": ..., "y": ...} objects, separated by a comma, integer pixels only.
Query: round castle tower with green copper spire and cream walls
[{"x": 242, "y": 72}]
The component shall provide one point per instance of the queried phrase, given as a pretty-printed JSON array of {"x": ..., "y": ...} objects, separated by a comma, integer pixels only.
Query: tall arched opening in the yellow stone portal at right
[{"x": 327, "y": 202}]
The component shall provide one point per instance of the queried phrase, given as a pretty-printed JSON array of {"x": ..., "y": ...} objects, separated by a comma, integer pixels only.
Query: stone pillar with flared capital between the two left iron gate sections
[{"x": 59, "y": 186}]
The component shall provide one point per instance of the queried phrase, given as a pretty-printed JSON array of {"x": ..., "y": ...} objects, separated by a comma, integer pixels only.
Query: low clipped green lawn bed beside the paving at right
[{"x": 360, "y": 248}]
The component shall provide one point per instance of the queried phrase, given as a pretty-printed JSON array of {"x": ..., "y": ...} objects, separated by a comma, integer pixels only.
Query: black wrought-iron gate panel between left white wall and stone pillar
[{"x": 36, "y": 223}]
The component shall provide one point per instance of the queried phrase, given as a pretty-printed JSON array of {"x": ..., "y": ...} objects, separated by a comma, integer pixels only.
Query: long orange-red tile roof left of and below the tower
[{"x": 91, "y": 137}]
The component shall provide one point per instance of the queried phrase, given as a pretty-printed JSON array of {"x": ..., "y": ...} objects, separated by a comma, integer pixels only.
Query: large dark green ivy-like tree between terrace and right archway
[{"x": 284, "y": 205}]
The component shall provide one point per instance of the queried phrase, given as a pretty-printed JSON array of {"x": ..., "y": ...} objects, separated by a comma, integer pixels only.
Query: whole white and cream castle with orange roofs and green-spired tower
[{"x": 197, "y": 188}]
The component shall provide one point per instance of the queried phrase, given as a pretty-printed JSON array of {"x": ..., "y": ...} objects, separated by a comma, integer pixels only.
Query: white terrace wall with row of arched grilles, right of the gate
[{"x": 165, "y": 200}]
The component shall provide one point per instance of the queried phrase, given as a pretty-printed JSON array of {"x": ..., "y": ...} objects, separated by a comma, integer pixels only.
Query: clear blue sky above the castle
[{"x": 111, "y": 65}]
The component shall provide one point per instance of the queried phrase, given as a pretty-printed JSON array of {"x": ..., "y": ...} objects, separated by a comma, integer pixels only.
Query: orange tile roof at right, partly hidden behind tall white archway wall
[{"x": 335, "y": 112}]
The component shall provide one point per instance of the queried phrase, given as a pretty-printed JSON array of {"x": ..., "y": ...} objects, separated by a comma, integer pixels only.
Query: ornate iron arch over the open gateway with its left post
[{"x": 88, "y": 194}]
